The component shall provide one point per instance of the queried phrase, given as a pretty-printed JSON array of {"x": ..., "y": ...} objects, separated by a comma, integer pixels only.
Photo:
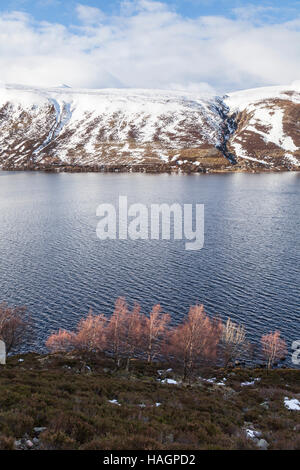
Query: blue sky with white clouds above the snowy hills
[{"x": 195, "y": 45}]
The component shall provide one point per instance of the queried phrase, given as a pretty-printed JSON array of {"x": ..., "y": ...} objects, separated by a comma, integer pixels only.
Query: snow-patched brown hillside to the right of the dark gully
[{"x": 268, "y": 126}]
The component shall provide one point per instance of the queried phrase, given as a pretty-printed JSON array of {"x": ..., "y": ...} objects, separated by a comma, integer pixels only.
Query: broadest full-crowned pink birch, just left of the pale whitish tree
[{"x": 194, "y": 342}]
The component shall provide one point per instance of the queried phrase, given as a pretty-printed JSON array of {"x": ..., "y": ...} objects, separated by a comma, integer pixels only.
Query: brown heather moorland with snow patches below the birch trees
[{"x": 75, "y": 401}]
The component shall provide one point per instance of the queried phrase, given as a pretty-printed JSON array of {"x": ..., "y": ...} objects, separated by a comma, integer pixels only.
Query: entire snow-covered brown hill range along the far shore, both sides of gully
[{"x": 148, "y": 129}]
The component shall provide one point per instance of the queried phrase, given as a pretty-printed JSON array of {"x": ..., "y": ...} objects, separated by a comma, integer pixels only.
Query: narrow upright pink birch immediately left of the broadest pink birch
[{"x": 155, "y": 330}]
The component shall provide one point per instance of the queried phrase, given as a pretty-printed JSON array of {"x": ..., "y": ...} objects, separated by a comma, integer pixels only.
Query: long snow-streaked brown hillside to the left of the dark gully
[{"x": 106, "y": 127}]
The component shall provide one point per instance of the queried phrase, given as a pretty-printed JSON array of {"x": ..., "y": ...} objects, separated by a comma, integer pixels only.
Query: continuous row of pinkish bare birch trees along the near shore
[{"x": 197, "y": 341}]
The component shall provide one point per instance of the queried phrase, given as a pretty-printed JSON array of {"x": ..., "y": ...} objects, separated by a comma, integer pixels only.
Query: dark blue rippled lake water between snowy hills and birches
[{"x": 52, "y": 261}]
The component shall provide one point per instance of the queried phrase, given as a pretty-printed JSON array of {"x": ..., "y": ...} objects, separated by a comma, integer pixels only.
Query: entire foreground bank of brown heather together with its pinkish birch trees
[{"x": 135, "y": 382}]
